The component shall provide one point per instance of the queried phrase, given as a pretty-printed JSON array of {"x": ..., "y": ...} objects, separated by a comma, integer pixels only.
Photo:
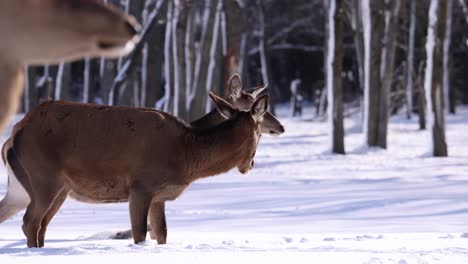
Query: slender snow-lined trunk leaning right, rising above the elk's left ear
[{"x": 213, "y": 50}]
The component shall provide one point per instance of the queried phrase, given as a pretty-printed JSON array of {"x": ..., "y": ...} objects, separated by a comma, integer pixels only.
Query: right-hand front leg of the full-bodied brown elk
[{"x": 157, "y": 217}]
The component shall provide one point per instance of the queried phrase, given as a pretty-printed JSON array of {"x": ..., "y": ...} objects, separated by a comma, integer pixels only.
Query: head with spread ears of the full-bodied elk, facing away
[{"x": 256, "y": 114}]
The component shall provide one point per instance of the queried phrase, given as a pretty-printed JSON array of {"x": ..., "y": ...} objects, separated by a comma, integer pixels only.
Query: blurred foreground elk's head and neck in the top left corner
[{"x": 55, "y": 31}]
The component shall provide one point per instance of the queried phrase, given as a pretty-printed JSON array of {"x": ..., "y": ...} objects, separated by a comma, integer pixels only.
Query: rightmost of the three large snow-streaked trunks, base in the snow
[{"x": 433, "y": 81}]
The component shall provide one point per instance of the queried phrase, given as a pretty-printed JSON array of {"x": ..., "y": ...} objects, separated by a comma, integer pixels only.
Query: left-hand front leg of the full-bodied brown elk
[{"x": 139, "y": 203}]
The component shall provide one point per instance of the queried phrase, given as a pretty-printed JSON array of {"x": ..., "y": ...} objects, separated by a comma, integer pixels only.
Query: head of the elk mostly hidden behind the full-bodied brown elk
[{"x": 244, "y": 100}]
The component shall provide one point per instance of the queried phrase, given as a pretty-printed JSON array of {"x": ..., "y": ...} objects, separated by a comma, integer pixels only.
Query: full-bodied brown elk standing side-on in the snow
[{"x": 103, "y": 154}]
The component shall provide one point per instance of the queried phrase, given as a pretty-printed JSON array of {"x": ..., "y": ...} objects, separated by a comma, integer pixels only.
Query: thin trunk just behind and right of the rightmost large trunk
[{"x": 447, "y": 41}]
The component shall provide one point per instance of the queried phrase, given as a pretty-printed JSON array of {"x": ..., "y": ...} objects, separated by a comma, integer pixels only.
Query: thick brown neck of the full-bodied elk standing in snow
[{"x": 220, "y": 148}]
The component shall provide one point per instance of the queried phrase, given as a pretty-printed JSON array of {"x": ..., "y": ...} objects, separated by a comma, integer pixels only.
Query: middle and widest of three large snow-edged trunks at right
[{"x": 373, "y": 22}]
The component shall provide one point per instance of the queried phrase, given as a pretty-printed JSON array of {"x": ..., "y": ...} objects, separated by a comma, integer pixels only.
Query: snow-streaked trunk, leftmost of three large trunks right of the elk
[{"x": 334, "y": 80}]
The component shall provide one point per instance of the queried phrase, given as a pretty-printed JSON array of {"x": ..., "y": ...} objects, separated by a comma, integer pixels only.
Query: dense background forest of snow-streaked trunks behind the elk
[{"x": 385, "y": 57}]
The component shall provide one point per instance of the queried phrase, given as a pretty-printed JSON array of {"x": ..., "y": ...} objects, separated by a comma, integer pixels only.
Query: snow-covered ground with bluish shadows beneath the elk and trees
[{"x": 299, "y": 204}]
